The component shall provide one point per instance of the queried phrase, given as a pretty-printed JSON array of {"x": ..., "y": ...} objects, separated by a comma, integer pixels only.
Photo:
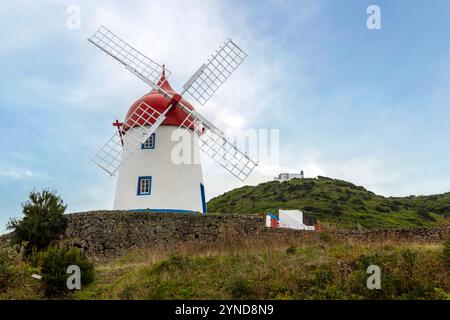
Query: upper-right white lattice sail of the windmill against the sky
[{"x": 211, "y": 75}]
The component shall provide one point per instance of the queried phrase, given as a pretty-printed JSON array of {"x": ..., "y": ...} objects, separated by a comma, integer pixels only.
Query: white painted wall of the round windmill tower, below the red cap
[{"x": 174, "y": 186}]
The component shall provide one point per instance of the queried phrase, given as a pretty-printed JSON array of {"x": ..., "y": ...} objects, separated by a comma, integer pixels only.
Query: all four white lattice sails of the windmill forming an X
[{"x": 145, "y": 120}]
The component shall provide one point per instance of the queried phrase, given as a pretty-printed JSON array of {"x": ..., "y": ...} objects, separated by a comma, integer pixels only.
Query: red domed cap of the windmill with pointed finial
[{"x": 157, "y": 101}]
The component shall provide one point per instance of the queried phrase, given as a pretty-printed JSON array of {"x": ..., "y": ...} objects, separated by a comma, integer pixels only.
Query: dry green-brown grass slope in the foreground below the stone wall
[{"x": 281, "y": 269}]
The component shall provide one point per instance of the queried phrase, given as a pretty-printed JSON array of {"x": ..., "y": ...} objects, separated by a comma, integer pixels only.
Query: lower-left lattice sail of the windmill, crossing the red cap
[{"x": 135, "y": 130}]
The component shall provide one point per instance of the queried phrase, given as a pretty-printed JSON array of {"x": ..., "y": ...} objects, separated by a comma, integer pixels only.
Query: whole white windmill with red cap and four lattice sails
[{"x": 140, "y": 152}]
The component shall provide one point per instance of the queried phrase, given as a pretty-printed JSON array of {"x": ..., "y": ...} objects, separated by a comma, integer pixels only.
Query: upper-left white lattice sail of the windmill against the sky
[{"x": 145, "y": 68}]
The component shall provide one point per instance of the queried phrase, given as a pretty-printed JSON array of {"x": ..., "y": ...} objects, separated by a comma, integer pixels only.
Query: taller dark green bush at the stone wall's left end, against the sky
[{"x": 43, "y": 221}]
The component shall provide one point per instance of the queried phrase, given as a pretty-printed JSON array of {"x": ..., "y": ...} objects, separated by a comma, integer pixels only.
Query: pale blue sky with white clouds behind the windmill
[{"x": 367, "y": 106}]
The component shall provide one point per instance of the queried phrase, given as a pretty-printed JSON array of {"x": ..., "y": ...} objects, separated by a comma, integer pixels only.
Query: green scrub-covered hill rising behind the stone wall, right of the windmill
[{"x": 336, "y": 202}]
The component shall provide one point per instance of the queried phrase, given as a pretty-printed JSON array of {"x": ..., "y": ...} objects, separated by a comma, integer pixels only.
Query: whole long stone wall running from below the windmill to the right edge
[{"x": 111, "y": 233}]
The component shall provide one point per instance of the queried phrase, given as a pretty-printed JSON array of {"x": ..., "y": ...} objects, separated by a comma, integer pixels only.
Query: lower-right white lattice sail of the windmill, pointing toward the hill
[{"x": 215, "y": 145}]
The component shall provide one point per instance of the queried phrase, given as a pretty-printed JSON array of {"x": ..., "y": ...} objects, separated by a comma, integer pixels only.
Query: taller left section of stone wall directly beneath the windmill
[{"x": 108, "y": 233}]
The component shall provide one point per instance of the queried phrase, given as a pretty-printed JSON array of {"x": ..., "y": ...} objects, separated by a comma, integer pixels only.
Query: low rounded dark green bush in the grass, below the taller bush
[{"x": 55, "y": 262}]
